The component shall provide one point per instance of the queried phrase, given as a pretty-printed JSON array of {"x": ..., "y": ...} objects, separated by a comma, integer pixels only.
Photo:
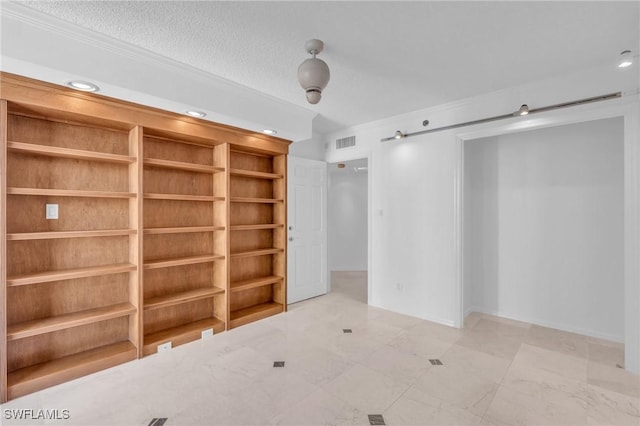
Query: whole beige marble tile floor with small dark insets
[{"x": 494, "y": 372}]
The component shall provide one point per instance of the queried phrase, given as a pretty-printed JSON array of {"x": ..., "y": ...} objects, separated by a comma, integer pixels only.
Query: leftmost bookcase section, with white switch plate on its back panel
[{"x": 70, "y": 285}]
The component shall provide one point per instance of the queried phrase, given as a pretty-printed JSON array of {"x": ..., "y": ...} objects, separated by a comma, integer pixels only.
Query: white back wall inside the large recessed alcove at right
[{"x": 543, "y": 228}]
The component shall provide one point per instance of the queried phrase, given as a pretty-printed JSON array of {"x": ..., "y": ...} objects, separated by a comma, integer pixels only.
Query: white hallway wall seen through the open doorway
[{"x": 347, "y": 219}]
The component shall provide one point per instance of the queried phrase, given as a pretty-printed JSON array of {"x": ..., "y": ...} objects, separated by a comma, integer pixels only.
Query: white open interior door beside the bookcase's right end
[{"x": 307, "y": 229}]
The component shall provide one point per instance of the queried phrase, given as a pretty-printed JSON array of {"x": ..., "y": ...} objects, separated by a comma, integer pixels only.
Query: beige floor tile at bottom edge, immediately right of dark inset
[{"x": 415, "y": 407}]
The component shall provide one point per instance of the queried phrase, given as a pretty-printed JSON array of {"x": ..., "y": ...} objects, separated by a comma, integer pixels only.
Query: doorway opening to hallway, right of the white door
[{"x": 348, "y": 228}]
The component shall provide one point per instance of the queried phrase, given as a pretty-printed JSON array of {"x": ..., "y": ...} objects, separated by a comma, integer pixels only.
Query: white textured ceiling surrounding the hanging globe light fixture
[{"x": 386, "y": 58}]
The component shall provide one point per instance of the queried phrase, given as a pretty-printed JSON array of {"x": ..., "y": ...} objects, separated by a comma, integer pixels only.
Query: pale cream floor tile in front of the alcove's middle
[{"x": 552, "y": 361}]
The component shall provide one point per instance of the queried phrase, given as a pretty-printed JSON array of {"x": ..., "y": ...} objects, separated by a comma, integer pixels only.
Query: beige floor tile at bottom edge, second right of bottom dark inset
[{"x": 511, "y": 407}]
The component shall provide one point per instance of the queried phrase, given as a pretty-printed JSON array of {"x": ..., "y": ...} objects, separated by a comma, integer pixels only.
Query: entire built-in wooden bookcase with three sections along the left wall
[{"x": 168, "y": 228}]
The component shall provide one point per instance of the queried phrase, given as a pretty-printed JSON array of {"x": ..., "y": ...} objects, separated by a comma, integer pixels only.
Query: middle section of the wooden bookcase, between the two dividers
[{"x": 184, "y": 268}]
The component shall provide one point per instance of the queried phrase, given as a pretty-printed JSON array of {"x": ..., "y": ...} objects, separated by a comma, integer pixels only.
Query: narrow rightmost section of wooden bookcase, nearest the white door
[{"x": 257, "y": 287}]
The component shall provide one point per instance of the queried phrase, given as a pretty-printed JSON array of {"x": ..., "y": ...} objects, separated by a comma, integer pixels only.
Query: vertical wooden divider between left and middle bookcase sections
[{"x": 136, "y": 284}]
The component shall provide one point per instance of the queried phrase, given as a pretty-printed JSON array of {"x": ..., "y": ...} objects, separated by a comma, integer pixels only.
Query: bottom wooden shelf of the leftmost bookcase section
[{"x": 33, "y": 378}]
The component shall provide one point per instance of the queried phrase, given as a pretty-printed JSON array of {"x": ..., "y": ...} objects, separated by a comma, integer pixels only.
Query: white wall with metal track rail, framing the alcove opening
[{"x": 415, "y": 190}]
